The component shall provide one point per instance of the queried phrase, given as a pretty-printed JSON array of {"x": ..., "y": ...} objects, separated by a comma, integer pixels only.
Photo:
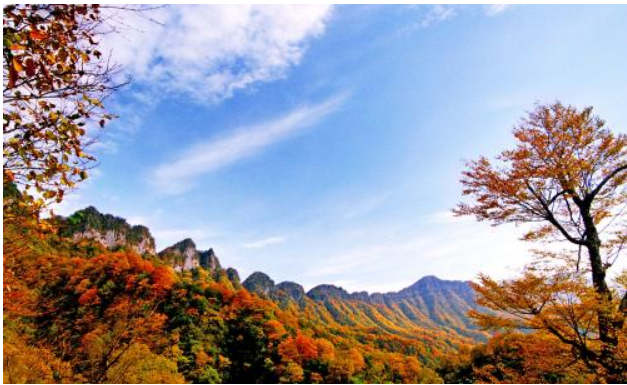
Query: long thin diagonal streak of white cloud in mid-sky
[{"x": 205, "y": 157}]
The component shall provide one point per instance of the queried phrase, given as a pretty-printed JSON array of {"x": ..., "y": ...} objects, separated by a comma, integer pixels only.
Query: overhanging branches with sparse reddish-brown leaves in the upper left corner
[{"x": 55, "y": 81}]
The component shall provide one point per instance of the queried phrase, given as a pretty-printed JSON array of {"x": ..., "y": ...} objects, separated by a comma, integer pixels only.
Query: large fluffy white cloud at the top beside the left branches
[{"x": 209, "y": 52}]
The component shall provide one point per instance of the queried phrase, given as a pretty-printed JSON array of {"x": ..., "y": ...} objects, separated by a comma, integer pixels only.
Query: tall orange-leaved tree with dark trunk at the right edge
[{"x": 566, "y": 180}]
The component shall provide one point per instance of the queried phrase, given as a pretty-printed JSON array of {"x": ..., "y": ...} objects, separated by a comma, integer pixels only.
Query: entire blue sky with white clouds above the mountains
[{"x": 325, "y": 145}]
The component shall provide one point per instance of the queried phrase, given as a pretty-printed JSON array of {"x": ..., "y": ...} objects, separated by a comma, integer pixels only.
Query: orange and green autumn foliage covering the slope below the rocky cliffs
[{"x": 119, "y": 317}]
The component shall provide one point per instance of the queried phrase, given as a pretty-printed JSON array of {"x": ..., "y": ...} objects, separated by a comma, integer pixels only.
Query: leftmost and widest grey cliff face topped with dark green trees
[{"x": 110, "y": 231}]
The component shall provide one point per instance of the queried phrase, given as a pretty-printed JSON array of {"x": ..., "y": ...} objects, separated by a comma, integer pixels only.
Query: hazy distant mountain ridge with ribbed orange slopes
[{"x": 429, "y": 304}]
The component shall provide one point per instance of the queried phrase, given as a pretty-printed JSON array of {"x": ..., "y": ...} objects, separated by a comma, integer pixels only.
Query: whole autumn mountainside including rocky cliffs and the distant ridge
[{"x": 99, "y": 311}]
